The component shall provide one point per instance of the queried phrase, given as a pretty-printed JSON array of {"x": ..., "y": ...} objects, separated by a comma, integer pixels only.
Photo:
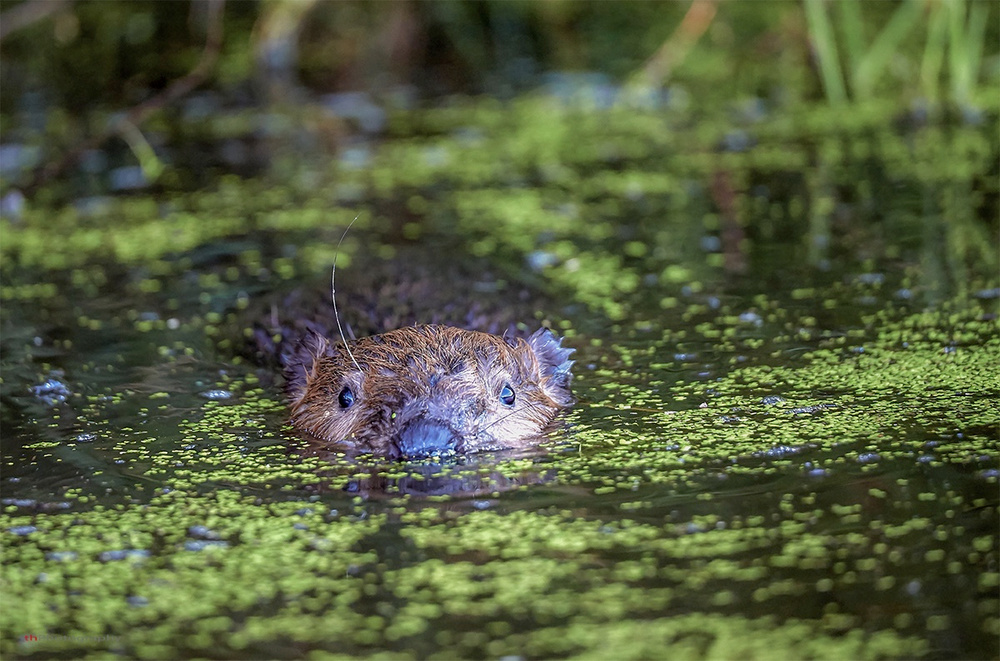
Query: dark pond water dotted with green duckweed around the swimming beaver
[{"x": 784, "y": 445}]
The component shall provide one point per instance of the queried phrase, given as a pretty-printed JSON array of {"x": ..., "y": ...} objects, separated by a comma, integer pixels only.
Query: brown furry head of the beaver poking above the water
[{"x": 429, "y": 390}]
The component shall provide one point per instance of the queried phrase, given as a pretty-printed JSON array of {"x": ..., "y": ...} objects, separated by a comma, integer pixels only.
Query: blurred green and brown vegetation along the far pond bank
[{"x": 71, "y": 69}]
